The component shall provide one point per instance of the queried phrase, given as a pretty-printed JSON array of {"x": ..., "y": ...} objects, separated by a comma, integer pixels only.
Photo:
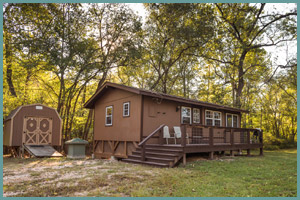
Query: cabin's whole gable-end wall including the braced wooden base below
[{"x": 121, "y": 138}]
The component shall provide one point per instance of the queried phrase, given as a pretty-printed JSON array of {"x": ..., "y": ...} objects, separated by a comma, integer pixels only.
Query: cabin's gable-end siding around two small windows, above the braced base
[{"x": 123, "y": 128}]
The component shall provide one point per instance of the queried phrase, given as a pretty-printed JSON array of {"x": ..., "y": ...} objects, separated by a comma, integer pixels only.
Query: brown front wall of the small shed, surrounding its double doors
[{"x": 31, "y": 111}]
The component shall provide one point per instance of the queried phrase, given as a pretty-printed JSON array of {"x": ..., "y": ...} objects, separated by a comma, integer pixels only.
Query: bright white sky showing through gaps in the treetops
[{"x": 279, "y": 55}]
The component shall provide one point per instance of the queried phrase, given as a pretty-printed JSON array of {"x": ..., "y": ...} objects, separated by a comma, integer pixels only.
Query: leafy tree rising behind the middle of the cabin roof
[{"x": 171, "y": 31}]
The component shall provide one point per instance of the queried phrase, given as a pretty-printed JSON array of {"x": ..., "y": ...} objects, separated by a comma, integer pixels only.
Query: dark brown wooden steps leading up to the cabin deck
[{"x": 157, "y": 155}]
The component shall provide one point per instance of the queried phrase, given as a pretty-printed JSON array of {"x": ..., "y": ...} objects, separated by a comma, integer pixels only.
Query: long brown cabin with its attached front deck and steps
[{"x": 128, "y": 121}]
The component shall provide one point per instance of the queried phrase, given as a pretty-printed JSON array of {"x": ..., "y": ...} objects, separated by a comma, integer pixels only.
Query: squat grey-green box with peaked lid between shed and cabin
[{"x": 76, "y": 148}]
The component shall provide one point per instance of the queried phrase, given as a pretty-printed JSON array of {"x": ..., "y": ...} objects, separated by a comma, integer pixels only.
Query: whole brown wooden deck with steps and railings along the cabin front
[{"x": 200, "y": 139}]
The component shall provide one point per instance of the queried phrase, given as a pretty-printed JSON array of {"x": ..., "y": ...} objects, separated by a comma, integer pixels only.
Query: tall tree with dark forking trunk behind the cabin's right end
[{"x": 244, "y": 30}]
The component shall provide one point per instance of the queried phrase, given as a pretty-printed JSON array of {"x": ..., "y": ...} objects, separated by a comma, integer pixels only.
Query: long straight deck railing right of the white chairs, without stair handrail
[{"x": 211, "y": 135}]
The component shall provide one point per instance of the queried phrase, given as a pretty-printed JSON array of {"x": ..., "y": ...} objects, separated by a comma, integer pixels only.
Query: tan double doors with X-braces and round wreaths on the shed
[{"x": 37, "y": 130}]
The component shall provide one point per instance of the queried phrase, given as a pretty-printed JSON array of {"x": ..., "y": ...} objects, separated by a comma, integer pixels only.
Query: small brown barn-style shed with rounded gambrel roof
[{"x": 34, "y": 124}]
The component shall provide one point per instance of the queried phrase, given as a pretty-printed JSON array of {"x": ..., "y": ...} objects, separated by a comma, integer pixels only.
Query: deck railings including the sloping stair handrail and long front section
[{"x": 208, "y": 135}]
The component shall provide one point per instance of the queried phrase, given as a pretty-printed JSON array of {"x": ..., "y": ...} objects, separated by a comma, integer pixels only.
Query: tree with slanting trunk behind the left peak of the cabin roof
[{"x": 115, "y": 28}]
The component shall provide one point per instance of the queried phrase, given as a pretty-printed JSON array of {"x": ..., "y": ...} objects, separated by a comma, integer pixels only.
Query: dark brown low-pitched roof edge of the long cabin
[{"x": 91, "y": 102}]
